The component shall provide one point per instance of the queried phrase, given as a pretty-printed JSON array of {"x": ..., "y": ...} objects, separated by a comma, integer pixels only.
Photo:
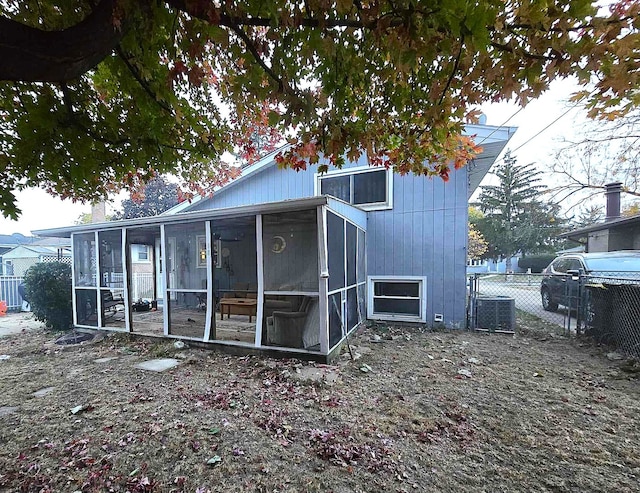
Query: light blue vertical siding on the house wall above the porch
[{"x": 424, "y": 234}]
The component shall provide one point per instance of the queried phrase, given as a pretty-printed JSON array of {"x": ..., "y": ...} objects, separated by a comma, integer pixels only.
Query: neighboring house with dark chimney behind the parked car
[{"x": 615, "y": 233}]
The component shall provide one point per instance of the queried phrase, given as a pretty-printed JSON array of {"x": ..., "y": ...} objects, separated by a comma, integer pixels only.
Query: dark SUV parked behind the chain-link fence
[{"x": 561, "y": 277}]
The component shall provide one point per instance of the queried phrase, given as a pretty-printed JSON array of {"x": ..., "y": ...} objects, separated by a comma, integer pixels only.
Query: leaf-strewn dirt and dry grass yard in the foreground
[{"x": 417, "y": 411}]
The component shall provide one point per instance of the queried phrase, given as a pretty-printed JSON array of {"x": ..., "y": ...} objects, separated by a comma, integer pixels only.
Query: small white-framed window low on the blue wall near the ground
[{"x": 397, "y": 298}]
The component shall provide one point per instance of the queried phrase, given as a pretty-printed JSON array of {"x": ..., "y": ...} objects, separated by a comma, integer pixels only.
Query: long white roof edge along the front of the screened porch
[{"x": 264, "y": 208}]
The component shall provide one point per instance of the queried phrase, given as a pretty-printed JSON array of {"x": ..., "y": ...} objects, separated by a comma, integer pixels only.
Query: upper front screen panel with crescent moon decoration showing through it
[{"x": 290, "y": 246}]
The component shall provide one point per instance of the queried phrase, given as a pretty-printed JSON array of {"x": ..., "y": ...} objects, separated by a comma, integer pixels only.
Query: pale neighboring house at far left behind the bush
[{"x": 19, "y": 259}]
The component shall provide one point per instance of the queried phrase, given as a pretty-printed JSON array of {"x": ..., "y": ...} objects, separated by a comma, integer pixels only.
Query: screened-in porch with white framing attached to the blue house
[{"x": 285, "y": 277}]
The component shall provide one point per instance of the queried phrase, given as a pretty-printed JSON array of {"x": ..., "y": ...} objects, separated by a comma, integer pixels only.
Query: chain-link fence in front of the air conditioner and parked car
[{"x": 605, "y": 307}]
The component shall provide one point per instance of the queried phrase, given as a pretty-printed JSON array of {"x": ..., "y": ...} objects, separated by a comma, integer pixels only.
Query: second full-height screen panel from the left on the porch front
[{"x": 111, "y": 278}]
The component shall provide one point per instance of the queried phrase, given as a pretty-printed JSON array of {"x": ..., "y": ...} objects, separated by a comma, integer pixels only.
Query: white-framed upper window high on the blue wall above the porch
[{"x": 369, "y": 188}]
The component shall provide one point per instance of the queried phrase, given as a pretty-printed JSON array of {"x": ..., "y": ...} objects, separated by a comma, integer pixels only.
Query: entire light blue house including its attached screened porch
[{"x": 314, "y": 254}]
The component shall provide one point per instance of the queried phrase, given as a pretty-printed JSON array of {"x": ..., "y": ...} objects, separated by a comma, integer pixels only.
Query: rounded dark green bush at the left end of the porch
[{"x": 48, "y": 291}]
